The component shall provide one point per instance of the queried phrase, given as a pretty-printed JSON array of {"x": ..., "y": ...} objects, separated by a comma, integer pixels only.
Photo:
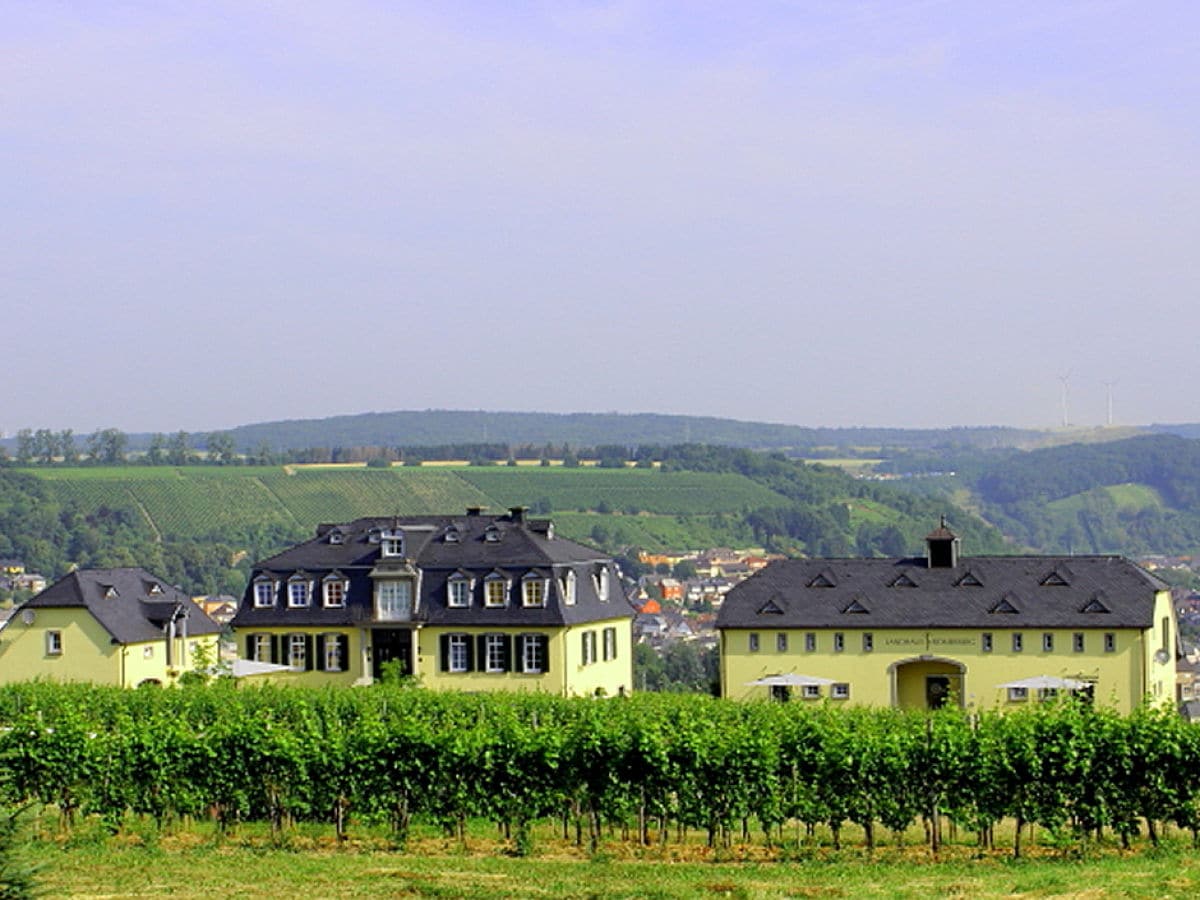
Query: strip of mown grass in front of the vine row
[{"x": 189, "y": 867}]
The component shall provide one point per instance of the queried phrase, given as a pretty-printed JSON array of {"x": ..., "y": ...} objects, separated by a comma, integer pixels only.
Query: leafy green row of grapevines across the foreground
[{"x": 649, "y": 767}]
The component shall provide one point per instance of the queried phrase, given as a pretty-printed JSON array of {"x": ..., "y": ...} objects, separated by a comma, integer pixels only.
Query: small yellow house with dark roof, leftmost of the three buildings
[{"x": 122, "y": 627}]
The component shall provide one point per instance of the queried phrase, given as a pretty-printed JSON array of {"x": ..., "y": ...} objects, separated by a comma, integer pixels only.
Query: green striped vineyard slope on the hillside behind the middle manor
[{"x": 655, "y": 509}]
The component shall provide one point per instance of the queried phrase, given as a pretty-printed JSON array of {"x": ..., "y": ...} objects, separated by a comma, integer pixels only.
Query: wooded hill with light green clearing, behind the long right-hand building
[{"x": 1136, "y": 496}]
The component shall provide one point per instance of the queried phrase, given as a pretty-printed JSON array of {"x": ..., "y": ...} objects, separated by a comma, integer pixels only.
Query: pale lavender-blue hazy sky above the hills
[{"x": 896, "y": 214}]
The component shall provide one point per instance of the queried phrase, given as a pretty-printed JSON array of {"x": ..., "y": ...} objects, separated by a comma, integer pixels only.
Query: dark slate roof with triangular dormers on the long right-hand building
[{"x": 979, "y": 593}]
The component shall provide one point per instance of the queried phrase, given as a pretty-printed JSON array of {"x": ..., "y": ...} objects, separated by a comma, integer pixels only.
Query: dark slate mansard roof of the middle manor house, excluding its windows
[{"x": 520, "y": 547}]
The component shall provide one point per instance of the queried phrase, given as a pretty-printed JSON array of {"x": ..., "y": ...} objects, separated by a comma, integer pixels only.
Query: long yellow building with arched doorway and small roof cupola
[{"x": 920, "y": 633}]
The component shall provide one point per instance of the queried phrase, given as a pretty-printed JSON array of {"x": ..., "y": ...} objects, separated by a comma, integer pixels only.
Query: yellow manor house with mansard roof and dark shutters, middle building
[{"x": 465, "y": 603}]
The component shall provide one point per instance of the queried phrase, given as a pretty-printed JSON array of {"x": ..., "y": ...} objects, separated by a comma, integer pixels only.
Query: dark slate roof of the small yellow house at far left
[{"x": 131, "y": 604}]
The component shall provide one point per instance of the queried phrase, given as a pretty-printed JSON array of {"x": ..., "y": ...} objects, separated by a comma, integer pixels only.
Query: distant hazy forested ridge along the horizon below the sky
[{"x": 445, "y": 428}]
